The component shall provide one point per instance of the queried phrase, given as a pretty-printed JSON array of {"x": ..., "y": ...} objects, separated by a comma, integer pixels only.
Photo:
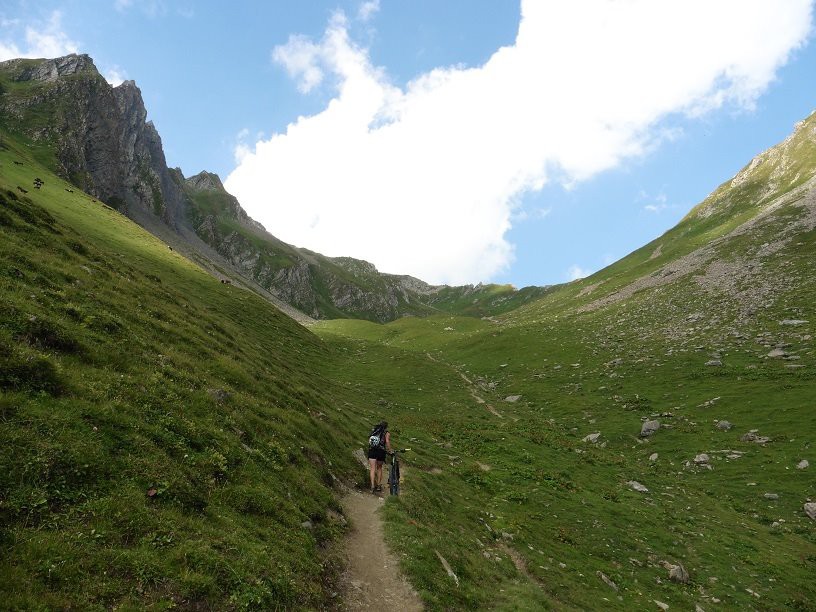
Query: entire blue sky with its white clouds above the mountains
[{"x": 336, "y": 134}]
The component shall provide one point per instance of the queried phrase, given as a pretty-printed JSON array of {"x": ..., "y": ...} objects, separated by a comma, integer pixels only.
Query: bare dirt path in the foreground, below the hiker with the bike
[{"x": 372, "y": 579}]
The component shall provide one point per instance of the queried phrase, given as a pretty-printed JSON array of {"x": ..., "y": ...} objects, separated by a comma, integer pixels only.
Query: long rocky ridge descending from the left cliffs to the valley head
[{"x": 97, "y": 137}]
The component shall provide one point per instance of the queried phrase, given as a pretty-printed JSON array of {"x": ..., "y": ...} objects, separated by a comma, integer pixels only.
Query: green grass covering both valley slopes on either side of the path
[{"x": 171, "y": 441}]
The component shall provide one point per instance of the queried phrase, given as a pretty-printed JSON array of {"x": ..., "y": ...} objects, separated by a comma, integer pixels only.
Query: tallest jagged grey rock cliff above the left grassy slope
[{"x": 104, "y": 144}]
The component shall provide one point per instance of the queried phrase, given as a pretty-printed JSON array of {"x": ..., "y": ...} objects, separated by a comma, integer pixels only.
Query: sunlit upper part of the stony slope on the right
[{"x": 727, "y": 240}]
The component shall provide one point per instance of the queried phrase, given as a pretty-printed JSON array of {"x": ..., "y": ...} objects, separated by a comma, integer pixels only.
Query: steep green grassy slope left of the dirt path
[{"x": 164, "y": 437}]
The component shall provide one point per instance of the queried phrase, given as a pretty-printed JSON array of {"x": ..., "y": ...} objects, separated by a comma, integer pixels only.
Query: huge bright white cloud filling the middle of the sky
[{"x": 424, "y": 179}]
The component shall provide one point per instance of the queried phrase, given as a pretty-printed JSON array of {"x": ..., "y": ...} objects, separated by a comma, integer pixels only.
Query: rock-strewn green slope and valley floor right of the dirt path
[{"x": 545, "y": 482}]
